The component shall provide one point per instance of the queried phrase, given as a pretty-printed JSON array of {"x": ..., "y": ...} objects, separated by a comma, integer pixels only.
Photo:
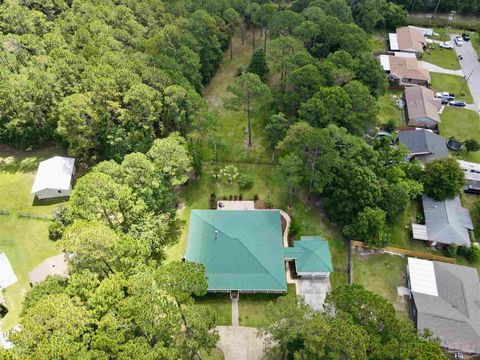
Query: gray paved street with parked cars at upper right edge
[{"x": 470, "y": 66}]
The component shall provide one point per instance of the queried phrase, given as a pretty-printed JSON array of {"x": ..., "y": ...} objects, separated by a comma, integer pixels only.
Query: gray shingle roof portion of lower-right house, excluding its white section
[{"x": 454, "y": 315}]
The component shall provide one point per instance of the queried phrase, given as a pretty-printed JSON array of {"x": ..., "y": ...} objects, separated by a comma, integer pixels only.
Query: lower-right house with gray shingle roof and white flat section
[{"x": 446, "y": 301}]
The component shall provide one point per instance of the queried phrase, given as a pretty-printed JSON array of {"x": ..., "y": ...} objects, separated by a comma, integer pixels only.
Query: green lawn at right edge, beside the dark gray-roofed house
[{"x": 462, "y": 124}]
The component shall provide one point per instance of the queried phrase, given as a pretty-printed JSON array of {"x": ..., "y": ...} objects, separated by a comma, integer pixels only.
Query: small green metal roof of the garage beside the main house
[{"x": 311, "y": 255}]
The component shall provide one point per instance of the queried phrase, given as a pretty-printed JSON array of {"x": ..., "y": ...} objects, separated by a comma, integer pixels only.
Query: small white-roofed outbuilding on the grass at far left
[{"x": 54, "y": 178}]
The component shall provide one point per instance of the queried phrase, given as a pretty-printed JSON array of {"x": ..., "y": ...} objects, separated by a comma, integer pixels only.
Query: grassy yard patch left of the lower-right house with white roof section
[{"x": 382, "y": 274}]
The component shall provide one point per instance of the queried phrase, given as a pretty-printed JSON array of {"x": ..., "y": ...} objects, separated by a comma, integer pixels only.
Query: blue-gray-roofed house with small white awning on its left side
[{"x": 446, "y": 222}]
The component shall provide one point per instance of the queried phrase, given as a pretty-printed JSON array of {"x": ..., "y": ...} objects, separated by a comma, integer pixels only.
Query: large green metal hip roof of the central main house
[{"x": 241, "y": 250}]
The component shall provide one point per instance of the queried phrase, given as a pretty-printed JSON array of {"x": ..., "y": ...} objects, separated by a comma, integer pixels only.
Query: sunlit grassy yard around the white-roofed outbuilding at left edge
[{"x": 24, "y": 240}]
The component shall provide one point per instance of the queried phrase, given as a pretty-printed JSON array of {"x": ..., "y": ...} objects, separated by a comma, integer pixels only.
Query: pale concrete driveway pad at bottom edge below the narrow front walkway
[{"x": 240, "y": 343}]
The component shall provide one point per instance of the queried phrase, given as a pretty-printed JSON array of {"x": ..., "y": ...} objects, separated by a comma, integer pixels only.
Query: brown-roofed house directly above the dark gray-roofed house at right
[{"x": 422, "y": 107}]
